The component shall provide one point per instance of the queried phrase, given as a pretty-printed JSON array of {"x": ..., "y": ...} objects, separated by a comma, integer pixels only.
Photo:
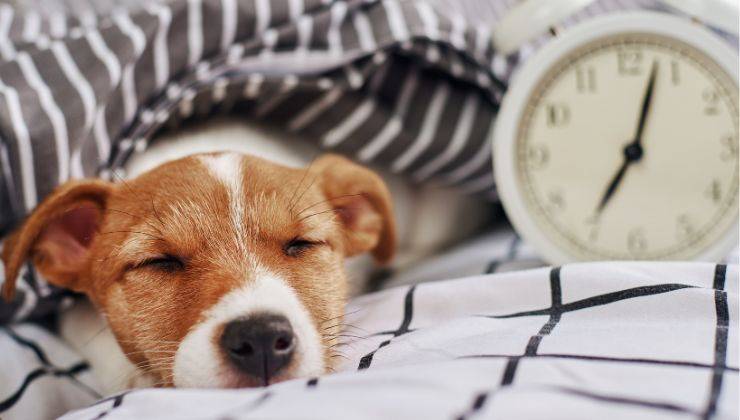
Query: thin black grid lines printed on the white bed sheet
[{"x": 480, "y": 401}]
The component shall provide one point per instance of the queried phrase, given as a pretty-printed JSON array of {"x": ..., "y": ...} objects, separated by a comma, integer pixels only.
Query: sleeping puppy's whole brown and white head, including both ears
[{"x": 216, "y": 270}]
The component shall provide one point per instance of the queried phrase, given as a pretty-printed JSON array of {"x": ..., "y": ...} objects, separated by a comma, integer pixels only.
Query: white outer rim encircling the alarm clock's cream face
[{"x": 525, "y": 81}]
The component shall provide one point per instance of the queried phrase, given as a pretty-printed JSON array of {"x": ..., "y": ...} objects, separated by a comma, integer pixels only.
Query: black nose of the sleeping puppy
[{"x": 260, "y": 345}]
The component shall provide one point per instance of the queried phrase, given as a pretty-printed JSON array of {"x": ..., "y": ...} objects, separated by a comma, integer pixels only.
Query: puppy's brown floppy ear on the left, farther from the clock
[{"x": 58, "y": 234}]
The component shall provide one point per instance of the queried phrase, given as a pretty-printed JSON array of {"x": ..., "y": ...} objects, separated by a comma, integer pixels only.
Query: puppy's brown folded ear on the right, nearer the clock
[{"x": 363, "y": 205}]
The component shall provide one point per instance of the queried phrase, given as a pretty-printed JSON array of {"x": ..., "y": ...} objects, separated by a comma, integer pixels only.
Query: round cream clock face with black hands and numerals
[{"x": 627, "y": 148}]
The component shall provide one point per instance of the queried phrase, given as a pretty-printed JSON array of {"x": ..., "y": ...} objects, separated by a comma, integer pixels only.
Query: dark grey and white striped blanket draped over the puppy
[{"x": 409, "y": 85}]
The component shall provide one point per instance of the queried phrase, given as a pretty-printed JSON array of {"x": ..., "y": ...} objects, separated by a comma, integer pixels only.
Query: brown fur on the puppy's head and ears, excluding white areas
[{"x": 180, "y": 209}]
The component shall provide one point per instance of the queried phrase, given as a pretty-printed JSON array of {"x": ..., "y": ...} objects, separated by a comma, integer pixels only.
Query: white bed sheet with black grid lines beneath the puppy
[{"x": 582, "y": 341}]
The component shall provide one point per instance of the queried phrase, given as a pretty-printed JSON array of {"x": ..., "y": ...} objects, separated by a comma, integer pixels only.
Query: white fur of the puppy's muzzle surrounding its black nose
[{"x": 200, "y": 362}]
